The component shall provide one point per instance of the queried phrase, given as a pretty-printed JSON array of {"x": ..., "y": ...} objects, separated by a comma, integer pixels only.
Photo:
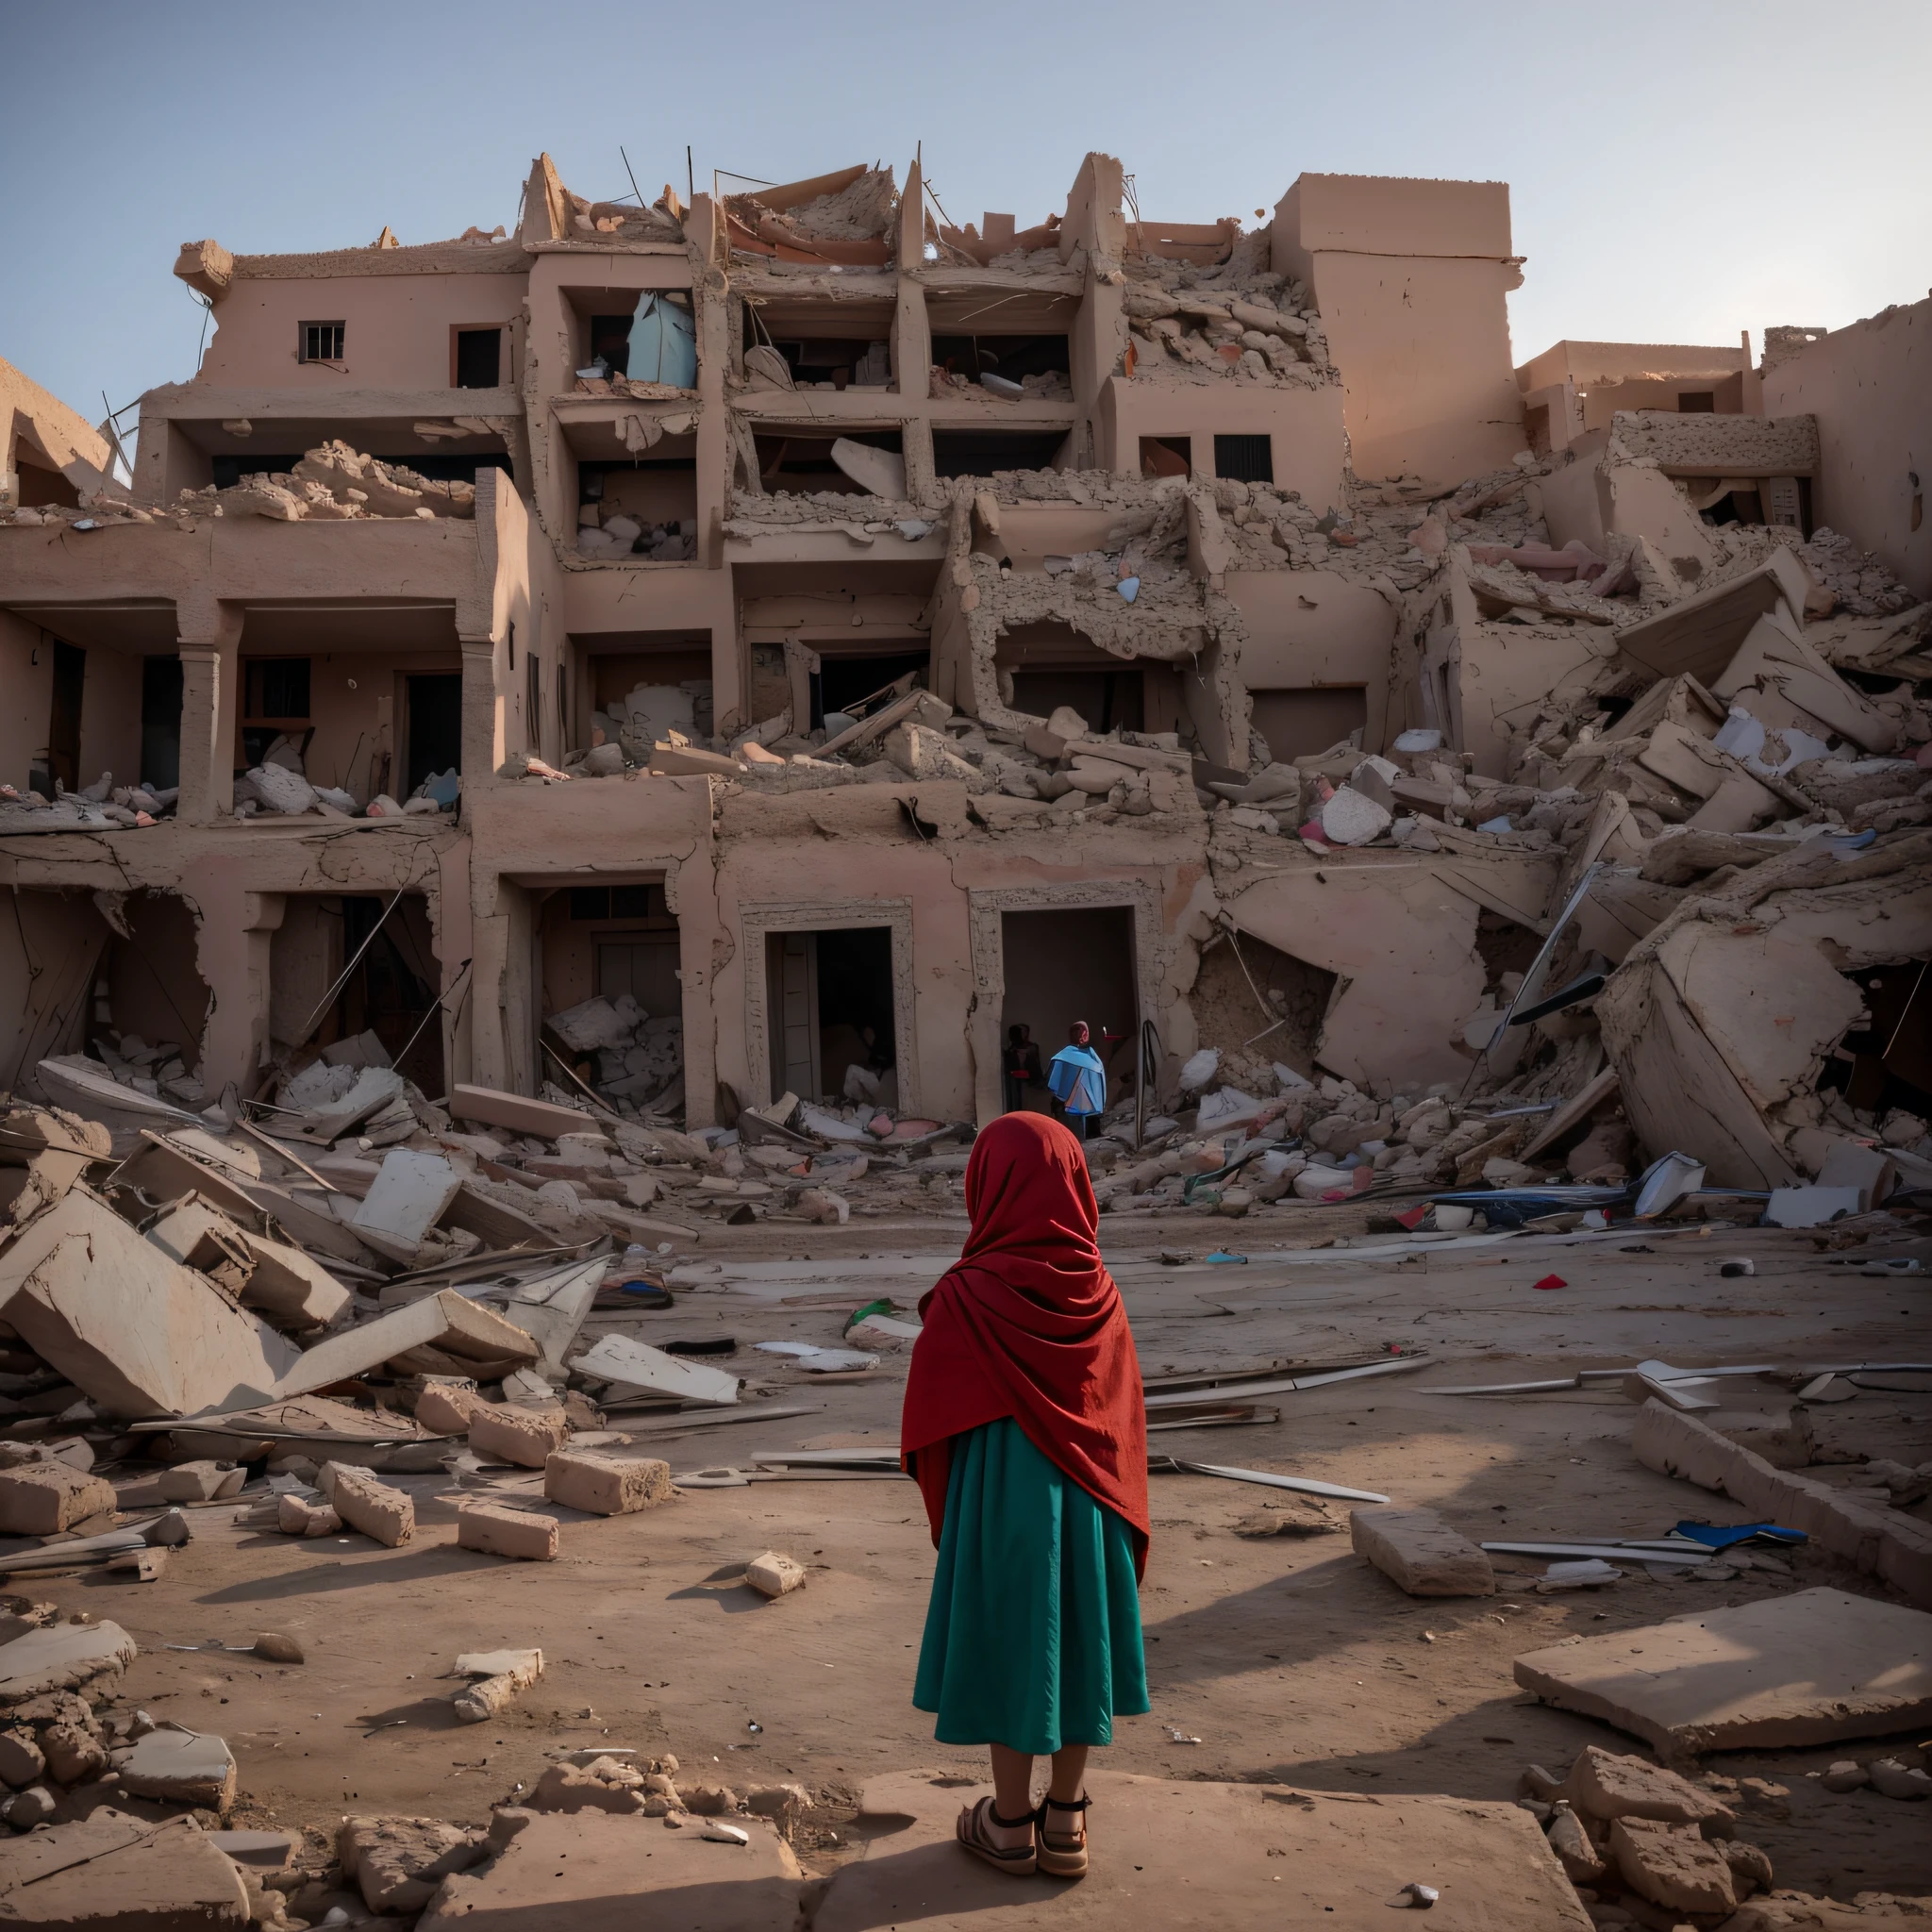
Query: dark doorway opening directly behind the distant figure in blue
[{"x": 1071, "y": 965}]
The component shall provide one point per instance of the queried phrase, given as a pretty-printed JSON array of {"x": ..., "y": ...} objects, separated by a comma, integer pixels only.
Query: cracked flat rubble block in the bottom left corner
[{"x": 111, "y": 1869}]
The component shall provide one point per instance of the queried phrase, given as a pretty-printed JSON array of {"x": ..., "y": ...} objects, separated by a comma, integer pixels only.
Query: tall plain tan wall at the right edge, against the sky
[{"x": 1871, "y": 389}]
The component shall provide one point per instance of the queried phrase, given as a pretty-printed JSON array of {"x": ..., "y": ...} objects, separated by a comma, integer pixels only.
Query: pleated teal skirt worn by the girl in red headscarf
[{"x": 1033, "y": 1637}]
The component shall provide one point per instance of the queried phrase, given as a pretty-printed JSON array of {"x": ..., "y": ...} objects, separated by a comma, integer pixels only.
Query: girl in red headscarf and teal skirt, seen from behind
[{"x": 1027, "y": 1433}]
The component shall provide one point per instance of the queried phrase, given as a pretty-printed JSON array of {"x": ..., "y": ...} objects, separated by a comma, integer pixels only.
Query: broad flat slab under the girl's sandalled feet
[{"x": 1205, "y": 1856}]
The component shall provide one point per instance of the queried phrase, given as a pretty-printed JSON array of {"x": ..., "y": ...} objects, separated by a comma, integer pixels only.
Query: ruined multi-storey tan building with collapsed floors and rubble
[{"x": 809, "y": 639}]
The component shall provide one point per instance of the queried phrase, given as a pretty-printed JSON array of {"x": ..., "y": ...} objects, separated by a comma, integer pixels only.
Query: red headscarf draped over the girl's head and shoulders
[{"x": 1029, "y": 1324}]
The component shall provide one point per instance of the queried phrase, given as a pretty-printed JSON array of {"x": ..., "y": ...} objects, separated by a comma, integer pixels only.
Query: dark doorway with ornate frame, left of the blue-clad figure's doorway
[{"x": 830, "y": 998}]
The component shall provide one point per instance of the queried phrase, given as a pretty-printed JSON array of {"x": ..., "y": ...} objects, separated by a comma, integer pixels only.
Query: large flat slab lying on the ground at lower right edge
[{"x": 1794, "y": 1670}]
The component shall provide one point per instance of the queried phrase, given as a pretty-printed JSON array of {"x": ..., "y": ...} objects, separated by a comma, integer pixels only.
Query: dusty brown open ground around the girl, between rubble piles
[{"x": 1286, "y": 1659}]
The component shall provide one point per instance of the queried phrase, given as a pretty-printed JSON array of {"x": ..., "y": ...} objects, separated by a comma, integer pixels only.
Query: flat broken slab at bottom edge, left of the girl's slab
[{"x": 600, "y": 1873}]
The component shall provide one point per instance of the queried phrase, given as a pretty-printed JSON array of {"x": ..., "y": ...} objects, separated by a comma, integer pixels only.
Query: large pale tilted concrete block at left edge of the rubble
[{"x": 136, "y": 1330}]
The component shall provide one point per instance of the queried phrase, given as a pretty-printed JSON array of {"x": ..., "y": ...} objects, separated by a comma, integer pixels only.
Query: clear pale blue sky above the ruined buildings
[{"x": 1678, "y": 173}]
